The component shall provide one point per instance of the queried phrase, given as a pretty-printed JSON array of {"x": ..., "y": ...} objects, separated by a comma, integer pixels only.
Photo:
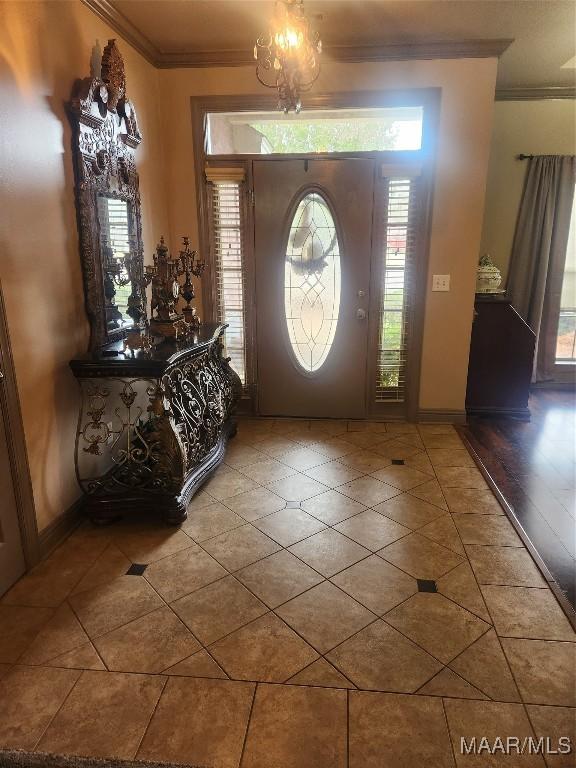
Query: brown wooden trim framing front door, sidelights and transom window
[{"x": 428, "y": 98}]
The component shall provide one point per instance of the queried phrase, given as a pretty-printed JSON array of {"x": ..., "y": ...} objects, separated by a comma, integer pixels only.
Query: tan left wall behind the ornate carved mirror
[{"x": 44, "y": 47}]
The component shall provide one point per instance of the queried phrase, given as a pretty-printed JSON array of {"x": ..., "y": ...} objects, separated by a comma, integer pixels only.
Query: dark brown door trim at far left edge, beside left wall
[{"x": 18, "y": 454}]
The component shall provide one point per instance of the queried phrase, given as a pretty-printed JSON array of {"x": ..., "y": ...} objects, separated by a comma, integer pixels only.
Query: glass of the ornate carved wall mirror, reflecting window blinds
[{"x": 114, "y": 218}]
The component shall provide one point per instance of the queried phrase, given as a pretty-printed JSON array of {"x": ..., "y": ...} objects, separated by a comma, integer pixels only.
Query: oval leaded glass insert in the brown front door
[{"x": 312, "y": 282}]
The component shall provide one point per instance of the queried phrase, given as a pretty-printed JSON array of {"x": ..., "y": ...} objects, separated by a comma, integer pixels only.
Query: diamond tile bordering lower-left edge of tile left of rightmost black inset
[{"x": 325, "y": 616}]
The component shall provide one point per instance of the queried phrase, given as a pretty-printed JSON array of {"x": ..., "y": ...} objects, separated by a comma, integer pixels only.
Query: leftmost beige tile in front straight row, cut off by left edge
[{"x": 29, "y": 699}]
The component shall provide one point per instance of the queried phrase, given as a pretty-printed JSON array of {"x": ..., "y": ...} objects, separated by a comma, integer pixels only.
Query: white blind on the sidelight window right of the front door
[{"x": 397, "y": 254}]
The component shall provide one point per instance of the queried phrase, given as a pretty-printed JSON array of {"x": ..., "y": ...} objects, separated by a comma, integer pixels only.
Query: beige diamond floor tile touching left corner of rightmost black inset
[{"x": 376, "y": 584}]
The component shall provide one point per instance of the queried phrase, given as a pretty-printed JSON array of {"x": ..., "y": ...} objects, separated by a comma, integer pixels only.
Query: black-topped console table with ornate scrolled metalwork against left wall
[{"x": 153, "y": 425}]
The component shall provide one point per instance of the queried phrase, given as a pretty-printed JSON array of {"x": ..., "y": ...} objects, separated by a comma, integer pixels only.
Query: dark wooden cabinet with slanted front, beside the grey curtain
[{"x": 501, "y": 360}]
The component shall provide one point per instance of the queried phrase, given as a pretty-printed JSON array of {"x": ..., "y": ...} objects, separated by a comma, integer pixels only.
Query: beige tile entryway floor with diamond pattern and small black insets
[{"x": 342, "y": 594}]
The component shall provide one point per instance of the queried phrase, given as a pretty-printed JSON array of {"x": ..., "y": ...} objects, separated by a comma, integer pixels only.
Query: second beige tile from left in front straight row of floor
[{"x": 99, "y": 717}]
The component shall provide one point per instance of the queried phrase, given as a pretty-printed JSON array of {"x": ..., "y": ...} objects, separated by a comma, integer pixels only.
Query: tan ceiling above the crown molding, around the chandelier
[{"x": 185, "y": 31}]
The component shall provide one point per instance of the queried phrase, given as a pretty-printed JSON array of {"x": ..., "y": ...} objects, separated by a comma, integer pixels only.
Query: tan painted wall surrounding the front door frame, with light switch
[{"x": 463, "y": 148}]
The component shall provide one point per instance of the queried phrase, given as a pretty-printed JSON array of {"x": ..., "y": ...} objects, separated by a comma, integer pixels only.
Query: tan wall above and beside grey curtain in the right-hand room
[{"x": 520, "y": 127}]
